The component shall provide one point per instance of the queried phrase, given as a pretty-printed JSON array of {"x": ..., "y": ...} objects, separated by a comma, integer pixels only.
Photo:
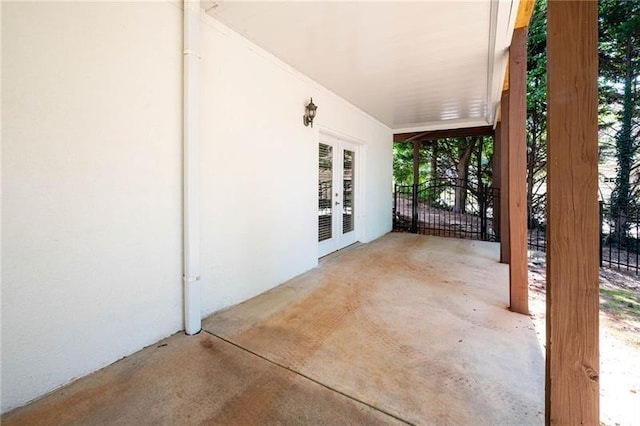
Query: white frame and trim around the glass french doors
[{"x": 339, "y": 143}]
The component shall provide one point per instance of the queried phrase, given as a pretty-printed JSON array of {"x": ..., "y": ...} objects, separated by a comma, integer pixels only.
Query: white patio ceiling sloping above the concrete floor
[{"x": 414, "y": 66}]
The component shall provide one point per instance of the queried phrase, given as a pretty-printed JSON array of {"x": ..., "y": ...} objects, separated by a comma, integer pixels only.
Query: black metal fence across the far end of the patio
[{"x": 447, "y": 208}]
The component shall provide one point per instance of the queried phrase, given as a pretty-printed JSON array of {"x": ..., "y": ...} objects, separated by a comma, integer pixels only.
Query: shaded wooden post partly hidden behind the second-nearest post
[{"x": 504, "y": 178}]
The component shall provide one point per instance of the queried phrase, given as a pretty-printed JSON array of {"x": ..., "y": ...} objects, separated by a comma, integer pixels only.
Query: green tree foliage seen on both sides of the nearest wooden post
[{"x": 619, "y": 70}]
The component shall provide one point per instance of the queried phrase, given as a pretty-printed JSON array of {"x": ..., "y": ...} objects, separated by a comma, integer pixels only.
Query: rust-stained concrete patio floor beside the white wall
[{"x": 406, "y": 329}]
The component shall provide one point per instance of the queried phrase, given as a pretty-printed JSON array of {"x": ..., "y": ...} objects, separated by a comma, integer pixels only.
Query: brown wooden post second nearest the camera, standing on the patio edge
[{"x": 518, "y": 262}]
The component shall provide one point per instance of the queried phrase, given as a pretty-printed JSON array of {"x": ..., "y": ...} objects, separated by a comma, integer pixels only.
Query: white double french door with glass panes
[{"x": 337, "y": 191}]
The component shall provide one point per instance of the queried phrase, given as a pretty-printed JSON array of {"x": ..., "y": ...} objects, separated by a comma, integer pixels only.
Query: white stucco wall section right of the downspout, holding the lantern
[{"x": 260, "y": 168}]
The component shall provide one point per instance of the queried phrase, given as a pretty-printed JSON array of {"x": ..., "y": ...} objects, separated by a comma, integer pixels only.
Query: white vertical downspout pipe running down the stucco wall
[{"x": 191, "y": 168}]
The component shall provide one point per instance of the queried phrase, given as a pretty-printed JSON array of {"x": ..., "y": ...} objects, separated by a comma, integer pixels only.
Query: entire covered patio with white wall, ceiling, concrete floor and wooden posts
[{"x": 162, "y": 171}]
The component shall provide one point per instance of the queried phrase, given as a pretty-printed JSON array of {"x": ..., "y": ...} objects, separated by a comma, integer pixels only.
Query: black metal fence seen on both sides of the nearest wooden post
[{"x": 619, "y": 238}]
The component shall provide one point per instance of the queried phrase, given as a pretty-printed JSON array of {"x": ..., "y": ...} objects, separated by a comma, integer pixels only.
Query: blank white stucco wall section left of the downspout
[{"x": 91, "y": 187}]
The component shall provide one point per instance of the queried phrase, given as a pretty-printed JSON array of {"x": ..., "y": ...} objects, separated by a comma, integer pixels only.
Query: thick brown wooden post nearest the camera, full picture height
[{"x": 572, "y": 384}]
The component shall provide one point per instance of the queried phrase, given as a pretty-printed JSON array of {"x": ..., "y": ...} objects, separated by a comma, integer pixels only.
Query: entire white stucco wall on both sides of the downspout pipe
[{"x": 91, "y": 181}]
